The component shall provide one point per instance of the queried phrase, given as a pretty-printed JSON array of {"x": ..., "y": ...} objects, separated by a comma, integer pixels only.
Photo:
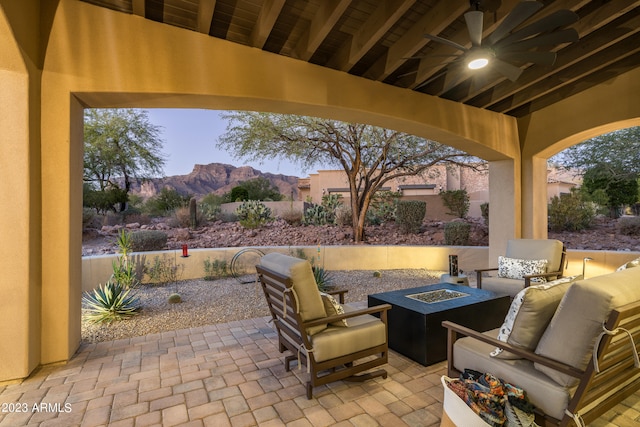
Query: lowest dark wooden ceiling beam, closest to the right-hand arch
[{"x": 581, "y": 70}]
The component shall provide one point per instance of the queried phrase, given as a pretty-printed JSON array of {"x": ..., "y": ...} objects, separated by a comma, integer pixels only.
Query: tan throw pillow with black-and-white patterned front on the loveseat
[{"x": 530, "y": 312}]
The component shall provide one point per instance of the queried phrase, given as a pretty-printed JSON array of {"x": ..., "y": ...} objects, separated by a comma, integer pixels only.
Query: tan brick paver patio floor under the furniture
[{"x": 227, "y": 374}]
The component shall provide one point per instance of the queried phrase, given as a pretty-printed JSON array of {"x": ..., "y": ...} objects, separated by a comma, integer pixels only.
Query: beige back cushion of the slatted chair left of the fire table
[{"x": 310, "y": 303}]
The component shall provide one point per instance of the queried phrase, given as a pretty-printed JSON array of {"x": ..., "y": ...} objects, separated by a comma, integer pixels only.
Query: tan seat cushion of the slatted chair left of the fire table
[{"x": 364, "y": 332}]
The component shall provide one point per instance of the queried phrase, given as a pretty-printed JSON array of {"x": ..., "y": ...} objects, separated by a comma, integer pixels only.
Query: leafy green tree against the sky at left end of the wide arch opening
[{"x": 120, "y": 145}]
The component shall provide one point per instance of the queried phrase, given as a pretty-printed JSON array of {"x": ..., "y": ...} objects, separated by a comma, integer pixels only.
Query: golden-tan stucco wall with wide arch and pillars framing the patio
[{"x": 57, "y": 58}]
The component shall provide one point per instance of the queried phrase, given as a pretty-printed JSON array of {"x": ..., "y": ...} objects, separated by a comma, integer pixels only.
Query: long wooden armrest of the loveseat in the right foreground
[{"x": 454, "y": 329}]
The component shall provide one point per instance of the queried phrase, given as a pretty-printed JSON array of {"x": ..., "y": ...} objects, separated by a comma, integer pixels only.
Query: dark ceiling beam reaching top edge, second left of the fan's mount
[{"x": 379, "y": 22}]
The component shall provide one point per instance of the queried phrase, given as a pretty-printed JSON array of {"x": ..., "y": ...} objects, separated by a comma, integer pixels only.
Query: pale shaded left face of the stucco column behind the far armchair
[{"x": 504, "y": 206}]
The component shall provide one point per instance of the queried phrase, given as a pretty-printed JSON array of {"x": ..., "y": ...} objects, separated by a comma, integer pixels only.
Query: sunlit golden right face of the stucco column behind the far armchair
[{"x": 534, "y": 198}]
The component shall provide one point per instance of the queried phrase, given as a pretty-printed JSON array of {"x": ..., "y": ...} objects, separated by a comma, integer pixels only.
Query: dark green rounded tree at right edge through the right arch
[{"x": 620, "y": 186}]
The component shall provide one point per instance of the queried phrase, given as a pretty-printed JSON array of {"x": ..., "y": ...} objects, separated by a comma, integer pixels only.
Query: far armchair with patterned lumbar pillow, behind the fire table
[{"x": 525, "y": 261}]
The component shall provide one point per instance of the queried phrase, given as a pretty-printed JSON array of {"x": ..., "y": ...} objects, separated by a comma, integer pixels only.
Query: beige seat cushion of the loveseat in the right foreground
[{"x": 543, "y": 392}]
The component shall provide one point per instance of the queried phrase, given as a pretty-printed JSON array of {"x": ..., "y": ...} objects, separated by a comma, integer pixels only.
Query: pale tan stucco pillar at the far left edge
[{"x": 20, "y": 213}]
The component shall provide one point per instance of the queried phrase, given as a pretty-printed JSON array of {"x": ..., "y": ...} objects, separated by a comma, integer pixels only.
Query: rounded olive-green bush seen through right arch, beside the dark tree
[{"x": 570, "y": 212}]
